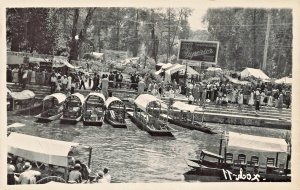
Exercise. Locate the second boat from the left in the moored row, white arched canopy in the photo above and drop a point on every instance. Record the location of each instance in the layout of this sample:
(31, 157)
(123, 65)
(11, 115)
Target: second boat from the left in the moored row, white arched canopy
(52, 107)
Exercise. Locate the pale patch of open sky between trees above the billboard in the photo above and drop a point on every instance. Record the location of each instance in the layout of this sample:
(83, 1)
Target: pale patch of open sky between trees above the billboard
(196, 18)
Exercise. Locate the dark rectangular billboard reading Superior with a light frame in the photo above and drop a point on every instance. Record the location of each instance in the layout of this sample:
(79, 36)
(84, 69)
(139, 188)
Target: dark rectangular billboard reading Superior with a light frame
(199, 51)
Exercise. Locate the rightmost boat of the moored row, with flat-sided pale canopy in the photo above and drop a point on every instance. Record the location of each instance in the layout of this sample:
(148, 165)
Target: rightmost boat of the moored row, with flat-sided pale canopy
(183, 115)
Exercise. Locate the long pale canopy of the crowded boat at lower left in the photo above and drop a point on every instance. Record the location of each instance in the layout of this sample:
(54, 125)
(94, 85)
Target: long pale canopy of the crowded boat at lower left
(40, 149)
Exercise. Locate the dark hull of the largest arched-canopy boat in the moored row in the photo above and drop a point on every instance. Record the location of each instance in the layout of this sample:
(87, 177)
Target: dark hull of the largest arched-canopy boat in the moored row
(152, 132)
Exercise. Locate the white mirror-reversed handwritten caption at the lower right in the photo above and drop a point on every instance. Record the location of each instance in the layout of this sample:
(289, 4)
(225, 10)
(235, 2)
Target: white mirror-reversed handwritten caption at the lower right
(228, 175)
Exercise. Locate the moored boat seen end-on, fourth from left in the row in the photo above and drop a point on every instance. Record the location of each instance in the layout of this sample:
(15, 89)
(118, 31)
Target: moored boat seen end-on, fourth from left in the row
(93, 109)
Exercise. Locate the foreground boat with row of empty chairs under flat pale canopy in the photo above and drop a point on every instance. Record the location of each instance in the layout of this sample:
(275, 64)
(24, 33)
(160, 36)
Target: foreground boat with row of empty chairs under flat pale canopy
(215, 167)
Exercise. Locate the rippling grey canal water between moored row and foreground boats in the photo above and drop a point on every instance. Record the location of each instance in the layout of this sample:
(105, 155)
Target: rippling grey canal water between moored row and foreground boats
(133, 155)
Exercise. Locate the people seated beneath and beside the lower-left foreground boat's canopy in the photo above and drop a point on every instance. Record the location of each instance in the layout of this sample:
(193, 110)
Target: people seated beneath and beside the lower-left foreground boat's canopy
(21, 171)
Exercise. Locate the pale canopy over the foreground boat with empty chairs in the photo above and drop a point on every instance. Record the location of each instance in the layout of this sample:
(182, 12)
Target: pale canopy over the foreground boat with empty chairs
(256, 143)
